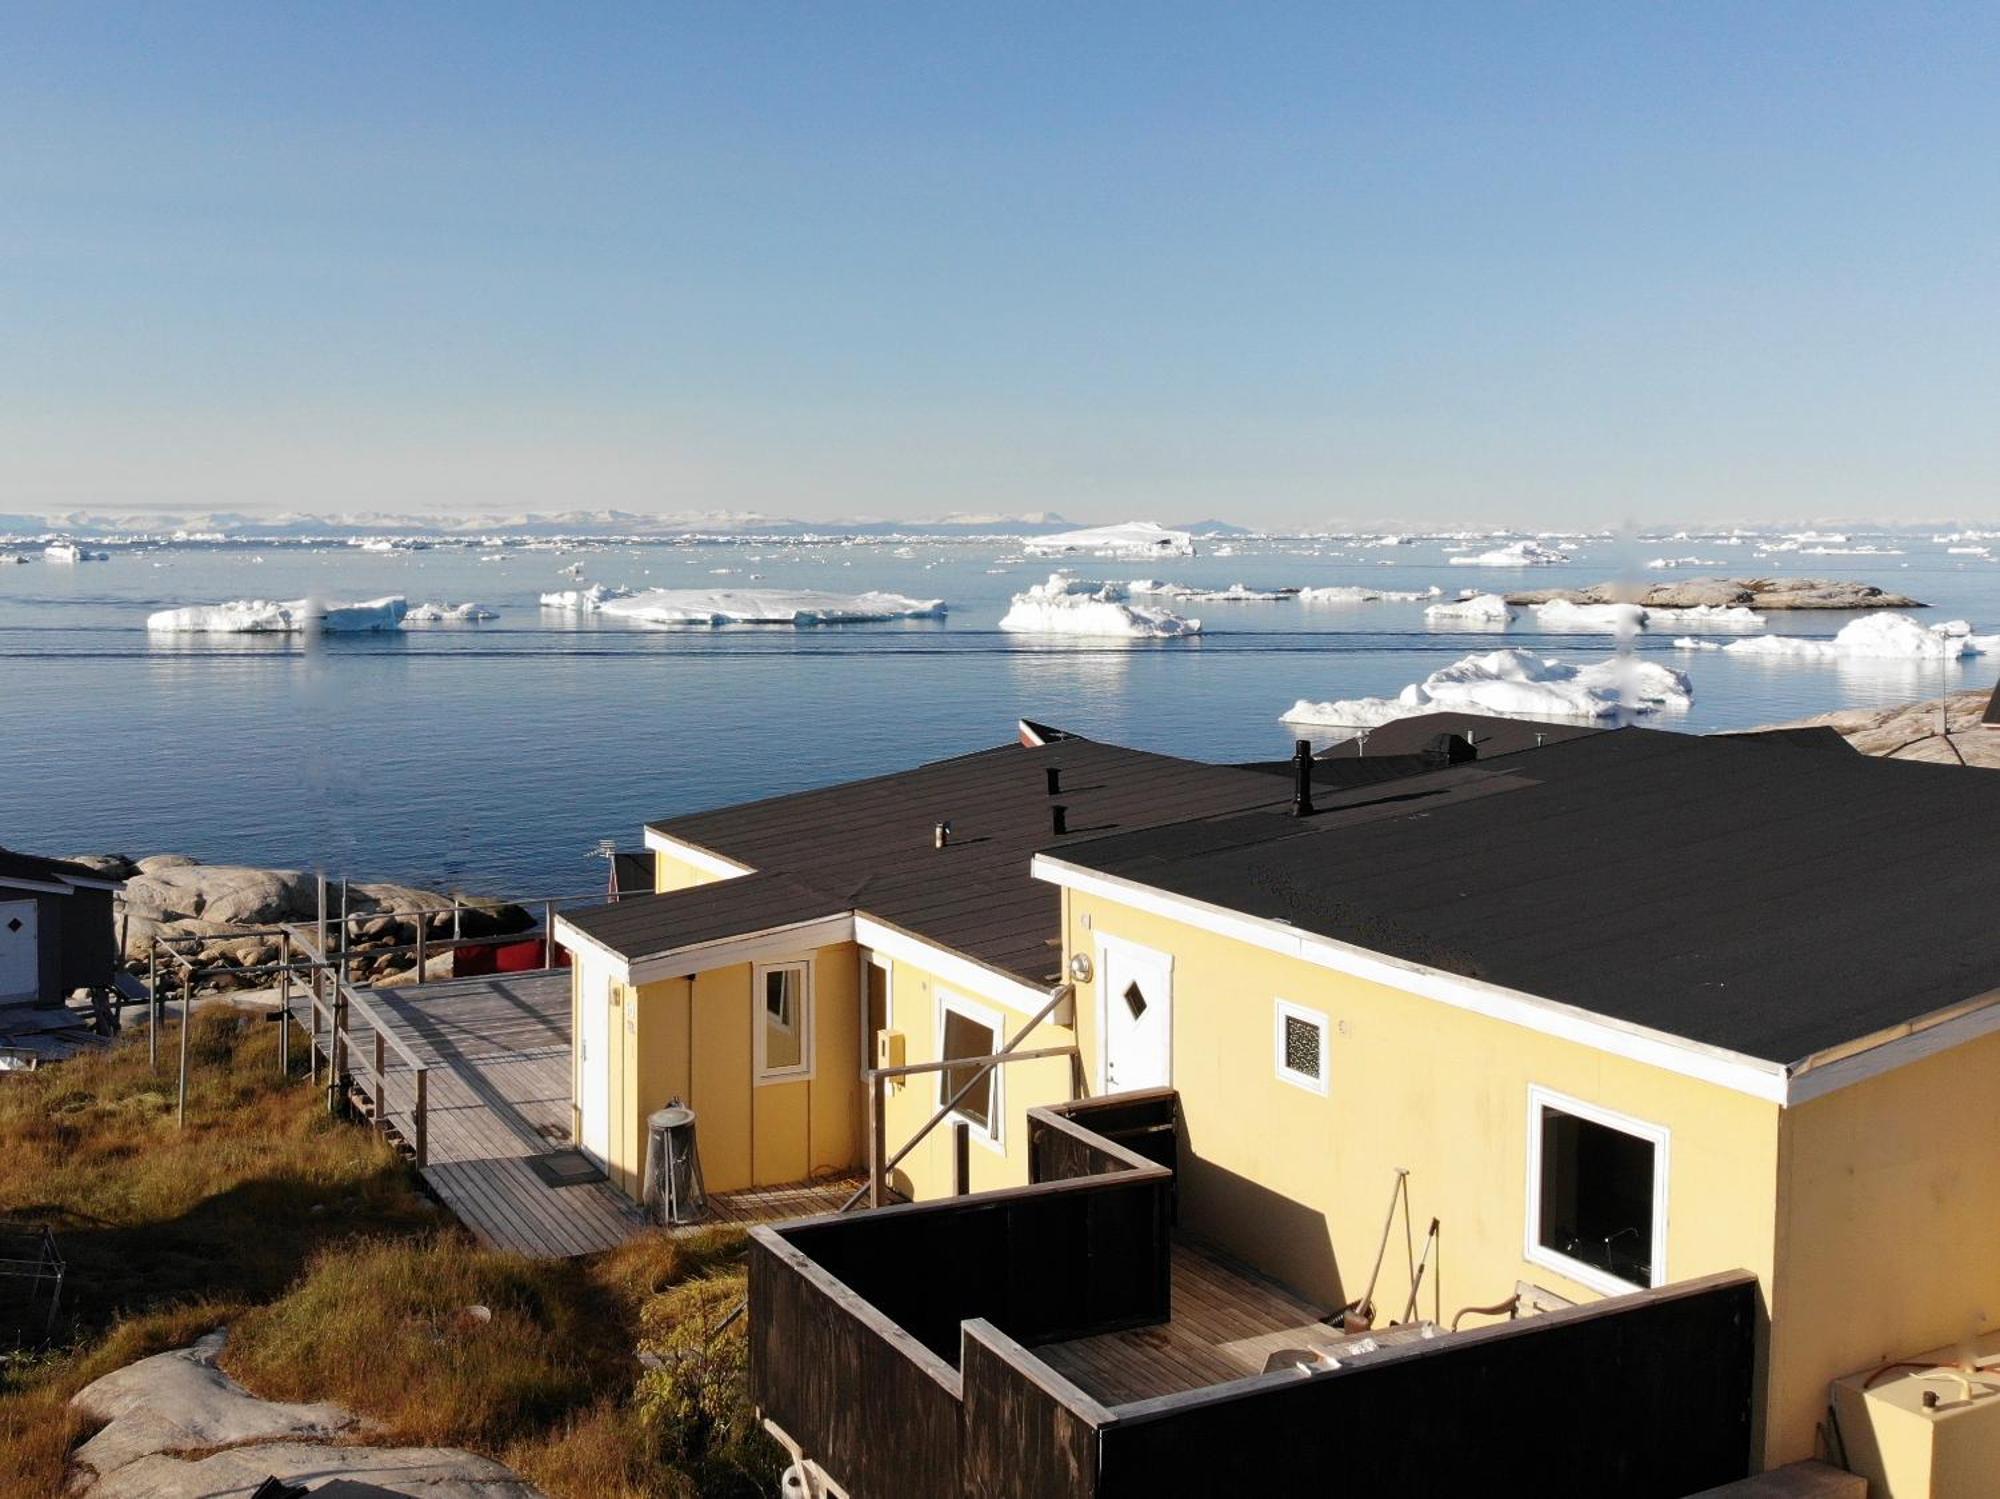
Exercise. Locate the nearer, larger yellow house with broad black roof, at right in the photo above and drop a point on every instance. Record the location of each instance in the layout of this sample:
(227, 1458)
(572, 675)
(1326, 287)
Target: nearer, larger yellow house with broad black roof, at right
(1627, 1010)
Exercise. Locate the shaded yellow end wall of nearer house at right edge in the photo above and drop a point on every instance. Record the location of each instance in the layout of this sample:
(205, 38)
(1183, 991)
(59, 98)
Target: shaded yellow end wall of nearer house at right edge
(1887, 1230)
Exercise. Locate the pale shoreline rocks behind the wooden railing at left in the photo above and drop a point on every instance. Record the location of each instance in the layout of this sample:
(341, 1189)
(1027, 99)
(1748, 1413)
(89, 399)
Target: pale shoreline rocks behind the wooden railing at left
(229, 904)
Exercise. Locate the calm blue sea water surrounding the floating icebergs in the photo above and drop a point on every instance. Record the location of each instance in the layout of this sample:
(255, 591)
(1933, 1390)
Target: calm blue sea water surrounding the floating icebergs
(499, 754)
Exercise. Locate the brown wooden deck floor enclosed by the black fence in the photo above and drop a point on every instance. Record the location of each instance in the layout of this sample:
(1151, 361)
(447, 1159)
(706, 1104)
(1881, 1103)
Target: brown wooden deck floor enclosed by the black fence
(1227, 1322)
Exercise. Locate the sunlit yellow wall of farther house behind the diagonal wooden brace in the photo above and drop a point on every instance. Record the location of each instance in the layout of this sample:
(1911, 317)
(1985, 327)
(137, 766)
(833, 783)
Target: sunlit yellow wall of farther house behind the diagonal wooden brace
(1027, 1084)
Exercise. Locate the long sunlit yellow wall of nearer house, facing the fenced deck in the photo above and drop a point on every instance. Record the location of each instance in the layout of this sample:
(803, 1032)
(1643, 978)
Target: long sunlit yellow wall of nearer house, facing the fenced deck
(1299, 1184)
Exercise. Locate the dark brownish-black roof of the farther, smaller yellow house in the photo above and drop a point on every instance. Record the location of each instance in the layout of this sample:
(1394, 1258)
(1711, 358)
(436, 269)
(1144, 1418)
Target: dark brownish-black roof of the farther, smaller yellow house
(871, 846)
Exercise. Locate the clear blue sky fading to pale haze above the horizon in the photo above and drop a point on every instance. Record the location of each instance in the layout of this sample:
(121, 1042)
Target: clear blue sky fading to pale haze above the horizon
(1423, 263)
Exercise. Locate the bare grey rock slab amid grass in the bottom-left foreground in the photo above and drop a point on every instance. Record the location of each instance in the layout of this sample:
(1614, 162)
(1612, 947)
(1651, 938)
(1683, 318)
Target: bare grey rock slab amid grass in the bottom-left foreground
(167, 1416)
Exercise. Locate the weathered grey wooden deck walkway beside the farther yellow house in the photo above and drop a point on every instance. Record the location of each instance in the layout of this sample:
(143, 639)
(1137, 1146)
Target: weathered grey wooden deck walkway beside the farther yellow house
(499, 1056)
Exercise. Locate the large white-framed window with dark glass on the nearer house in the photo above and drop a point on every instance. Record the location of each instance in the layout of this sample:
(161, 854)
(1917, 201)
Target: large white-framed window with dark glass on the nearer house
(1597, 1194)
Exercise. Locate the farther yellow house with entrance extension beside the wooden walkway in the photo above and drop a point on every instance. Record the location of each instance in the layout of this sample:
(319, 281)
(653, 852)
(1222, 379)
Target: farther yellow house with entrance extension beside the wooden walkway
(793, 944)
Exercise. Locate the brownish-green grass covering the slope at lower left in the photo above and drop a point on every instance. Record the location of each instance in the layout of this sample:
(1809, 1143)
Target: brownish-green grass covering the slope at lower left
(343, 1282)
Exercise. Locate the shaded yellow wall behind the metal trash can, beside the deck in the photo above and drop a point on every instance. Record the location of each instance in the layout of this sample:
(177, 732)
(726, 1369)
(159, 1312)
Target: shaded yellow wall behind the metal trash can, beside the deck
(695, 1040)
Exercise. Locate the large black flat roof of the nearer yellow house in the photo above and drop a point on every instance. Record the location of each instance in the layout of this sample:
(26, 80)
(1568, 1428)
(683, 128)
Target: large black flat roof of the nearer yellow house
(1753, 896)
